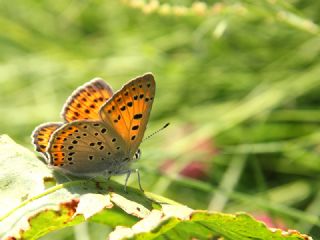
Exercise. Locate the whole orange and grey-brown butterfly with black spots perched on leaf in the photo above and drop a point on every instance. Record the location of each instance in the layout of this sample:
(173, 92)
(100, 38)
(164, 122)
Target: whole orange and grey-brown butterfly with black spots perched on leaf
(102, 130)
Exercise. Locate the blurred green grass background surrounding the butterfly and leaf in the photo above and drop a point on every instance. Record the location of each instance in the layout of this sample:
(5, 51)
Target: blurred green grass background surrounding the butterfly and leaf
(239, 81)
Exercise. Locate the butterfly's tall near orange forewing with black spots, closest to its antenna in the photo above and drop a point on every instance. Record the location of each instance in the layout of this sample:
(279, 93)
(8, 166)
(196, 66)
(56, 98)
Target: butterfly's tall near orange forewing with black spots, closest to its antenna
(127, 112)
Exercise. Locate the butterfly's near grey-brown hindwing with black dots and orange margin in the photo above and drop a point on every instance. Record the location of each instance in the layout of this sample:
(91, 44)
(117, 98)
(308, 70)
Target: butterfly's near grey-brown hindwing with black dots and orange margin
(87, 147)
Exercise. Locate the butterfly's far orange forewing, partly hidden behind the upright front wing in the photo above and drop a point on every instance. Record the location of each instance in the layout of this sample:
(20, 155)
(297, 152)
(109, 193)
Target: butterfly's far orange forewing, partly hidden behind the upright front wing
(85, 102)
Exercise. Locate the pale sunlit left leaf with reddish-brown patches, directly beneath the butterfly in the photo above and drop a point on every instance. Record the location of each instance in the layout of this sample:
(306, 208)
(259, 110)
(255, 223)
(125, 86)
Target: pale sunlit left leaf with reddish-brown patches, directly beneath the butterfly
(30, 210)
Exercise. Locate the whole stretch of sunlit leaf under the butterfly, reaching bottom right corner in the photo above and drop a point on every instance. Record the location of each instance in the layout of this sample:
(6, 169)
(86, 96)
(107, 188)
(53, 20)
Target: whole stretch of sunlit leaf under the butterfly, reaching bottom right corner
(30, 209)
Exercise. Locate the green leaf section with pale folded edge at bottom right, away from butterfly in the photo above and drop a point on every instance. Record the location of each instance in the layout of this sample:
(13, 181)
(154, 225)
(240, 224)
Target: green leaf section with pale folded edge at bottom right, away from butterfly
(181, 223)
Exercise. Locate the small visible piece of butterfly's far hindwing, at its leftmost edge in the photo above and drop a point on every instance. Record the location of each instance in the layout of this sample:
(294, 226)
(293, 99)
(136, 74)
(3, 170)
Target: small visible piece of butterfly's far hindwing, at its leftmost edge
(42, 134)
